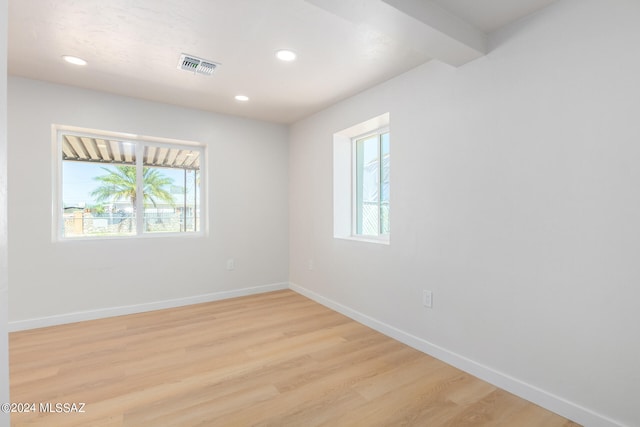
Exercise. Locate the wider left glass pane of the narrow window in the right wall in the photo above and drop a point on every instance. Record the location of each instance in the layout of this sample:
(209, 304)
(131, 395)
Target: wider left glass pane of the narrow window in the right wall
(367, 186)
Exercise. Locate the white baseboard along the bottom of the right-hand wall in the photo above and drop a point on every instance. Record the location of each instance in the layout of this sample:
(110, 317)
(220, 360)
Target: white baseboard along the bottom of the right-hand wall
(513, 385)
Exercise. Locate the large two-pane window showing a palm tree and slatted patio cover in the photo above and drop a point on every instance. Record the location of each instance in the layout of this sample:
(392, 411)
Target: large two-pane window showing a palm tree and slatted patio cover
(112, 185)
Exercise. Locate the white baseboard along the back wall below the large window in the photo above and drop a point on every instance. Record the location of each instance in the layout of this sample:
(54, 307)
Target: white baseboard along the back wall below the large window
(80, 316)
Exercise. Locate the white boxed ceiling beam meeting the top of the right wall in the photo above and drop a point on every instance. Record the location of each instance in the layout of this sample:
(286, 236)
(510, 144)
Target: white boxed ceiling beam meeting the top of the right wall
(421, 24)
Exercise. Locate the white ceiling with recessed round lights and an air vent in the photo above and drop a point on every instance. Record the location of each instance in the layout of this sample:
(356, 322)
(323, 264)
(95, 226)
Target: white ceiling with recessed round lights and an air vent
(343, 46)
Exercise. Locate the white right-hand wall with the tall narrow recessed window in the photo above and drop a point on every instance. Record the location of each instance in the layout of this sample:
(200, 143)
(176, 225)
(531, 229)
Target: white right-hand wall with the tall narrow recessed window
(514, 199)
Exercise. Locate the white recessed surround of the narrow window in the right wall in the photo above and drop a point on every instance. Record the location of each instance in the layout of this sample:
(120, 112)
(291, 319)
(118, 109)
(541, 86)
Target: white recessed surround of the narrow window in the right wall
(344, 170)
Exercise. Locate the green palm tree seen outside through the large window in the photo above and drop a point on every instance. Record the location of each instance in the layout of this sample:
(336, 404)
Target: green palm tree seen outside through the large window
(120, 184)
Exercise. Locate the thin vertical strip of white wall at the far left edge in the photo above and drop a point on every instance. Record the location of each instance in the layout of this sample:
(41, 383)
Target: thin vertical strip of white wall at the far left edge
(4, 276)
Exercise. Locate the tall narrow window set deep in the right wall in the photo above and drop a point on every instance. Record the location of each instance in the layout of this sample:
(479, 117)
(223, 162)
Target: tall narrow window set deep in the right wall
(371, 184)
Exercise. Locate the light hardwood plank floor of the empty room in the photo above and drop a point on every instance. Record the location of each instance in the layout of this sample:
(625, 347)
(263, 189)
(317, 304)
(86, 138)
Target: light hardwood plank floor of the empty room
(276, 359)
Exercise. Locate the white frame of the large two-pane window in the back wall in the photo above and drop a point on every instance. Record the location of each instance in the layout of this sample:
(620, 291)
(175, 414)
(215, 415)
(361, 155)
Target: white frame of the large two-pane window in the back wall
(139, 141)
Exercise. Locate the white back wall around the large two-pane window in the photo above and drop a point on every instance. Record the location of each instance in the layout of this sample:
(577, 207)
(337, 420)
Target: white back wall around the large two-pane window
(248, 216)
